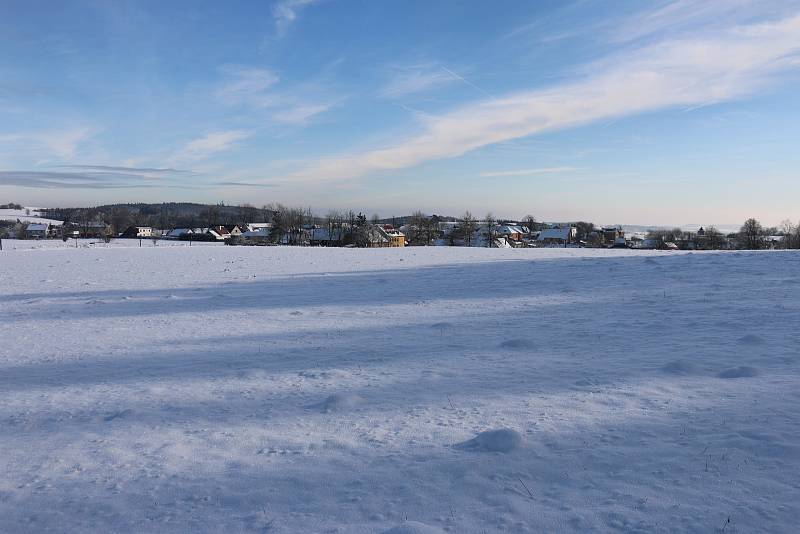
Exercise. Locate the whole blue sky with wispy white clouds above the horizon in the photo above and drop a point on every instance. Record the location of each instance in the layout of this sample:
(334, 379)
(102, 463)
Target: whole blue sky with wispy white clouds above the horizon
(662, 112)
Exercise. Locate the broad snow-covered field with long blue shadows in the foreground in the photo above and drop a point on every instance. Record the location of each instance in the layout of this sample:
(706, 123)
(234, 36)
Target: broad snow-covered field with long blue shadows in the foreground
(237, 389)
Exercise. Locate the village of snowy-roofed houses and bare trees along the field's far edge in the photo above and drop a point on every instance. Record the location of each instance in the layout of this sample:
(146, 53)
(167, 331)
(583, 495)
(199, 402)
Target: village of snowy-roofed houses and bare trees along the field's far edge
(291, 226)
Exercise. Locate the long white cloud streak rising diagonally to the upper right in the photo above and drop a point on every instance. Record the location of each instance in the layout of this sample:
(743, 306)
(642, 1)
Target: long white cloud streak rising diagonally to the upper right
(679, 73)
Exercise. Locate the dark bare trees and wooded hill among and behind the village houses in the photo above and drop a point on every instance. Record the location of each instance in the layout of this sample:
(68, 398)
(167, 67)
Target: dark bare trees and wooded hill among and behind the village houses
(348, 227)
